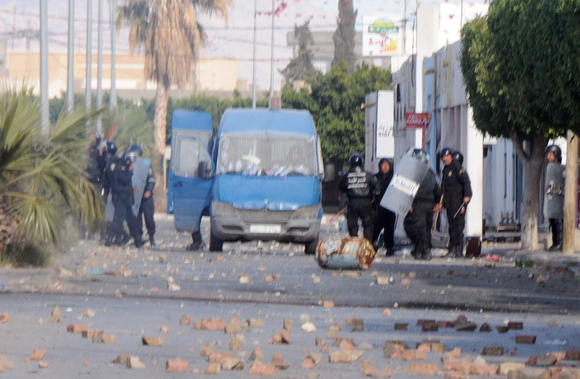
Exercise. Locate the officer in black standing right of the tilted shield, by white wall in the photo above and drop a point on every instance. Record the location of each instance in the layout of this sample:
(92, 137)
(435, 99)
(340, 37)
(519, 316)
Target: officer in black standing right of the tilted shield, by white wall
(455, 185)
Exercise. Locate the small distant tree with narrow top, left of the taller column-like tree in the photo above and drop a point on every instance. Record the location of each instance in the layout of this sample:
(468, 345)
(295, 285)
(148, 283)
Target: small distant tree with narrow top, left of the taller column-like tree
(301, 67)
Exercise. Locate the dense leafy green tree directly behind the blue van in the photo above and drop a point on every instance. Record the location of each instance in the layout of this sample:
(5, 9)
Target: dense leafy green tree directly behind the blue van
(334, 100)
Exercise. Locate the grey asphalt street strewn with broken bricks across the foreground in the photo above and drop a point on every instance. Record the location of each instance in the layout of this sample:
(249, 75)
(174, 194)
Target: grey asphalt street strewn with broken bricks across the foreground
(135, 292)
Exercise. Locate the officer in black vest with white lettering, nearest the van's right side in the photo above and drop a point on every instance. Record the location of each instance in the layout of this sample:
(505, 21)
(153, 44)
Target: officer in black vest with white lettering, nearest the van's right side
(361, 188)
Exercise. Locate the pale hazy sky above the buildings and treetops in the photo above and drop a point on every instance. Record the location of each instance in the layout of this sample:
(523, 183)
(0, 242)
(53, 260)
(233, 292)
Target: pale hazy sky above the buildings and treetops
(234, 40)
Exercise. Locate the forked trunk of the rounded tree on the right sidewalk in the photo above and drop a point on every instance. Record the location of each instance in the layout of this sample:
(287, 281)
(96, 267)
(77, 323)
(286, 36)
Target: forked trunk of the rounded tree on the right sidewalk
(533, 163)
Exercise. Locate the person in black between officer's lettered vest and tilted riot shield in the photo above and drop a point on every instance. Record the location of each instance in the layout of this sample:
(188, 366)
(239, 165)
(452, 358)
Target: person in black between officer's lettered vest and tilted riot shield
(384, 219)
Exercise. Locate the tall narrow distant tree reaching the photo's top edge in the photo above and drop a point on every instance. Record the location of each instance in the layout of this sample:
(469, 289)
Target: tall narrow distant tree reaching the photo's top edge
(344, 35)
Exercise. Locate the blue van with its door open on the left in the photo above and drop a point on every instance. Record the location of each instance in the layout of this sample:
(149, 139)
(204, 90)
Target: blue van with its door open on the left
(260, 180)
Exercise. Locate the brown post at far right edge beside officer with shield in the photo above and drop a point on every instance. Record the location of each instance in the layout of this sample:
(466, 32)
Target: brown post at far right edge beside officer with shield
(570, 193)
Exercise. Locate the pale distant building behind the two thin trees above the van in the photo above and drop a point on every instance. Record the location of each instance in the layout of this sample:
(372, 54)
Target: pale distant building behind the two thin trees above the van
(323, 51)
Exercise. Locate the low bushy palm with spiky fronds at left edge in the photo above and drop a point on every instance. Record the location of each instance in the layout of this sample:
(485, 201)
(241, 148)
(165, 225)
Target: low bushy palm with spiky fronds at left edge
(42, 178)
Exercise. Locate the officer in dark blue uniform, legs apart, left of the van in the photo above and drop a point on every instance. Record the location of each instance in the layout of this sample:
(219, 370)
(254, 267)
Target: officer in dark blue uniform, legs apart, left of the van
(120, 177)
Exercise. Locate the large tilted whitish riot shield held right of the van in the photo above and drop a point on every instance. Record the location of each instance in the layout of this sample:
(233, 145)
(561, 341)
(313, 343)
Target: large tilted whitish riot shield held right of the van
(401, 192)
